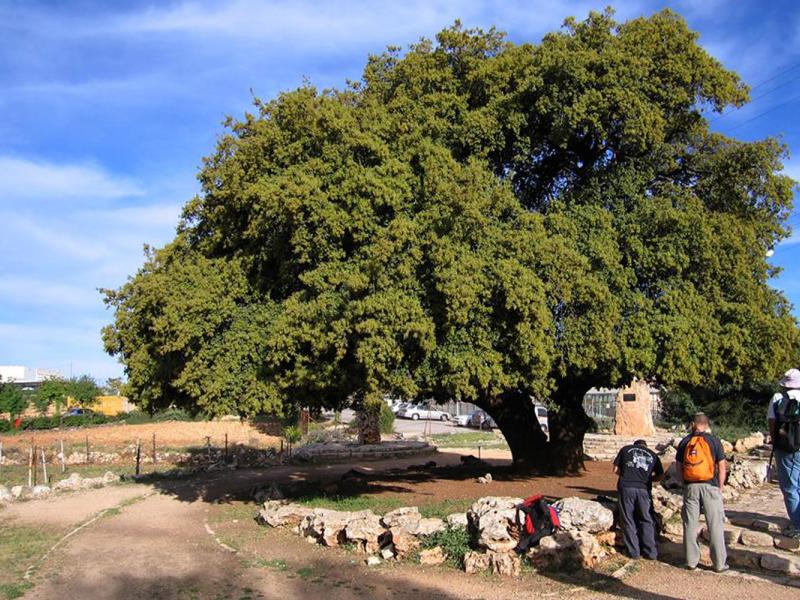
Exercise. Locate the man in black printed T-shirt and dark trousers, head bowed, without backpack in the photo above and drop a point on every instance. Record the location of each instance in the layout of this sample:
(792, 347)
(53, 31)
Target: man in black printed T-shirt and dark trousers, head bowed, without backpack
(638, 467)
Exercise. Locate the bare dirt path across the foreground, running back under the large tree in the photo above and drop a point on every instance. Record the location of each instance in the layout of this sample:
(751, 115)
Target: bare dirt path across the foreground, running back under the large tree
(197, 539)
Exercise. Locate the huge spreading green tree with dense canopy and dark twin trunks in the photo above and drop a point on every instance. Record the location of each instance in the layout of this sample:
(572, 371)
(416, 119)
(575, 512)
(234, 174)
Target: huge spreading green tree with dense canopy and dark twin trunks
(474, 219)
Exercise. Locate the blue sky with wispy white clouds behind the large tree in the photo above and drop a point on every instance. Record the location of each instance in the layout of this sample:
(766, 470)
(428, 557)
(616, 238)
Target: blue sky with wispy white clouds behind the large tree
(106, 109)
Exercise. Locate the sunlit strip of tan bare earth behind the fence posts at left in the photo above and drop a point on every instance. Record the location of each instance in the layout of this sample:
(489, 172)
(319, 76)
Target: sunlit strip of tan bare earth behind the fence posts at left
(172, 434)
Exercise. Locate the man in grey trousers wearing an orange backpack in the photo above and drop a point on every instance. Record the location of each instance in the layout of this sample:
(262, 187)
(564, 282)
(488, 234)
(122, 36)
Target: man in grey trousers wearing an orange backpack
(701, 466)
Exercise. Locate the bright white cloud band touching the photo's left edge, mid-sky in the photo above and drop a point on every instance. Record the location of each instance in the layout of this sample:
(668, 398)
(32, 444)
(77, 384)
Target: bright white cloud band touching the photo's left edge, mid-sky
(23, 179)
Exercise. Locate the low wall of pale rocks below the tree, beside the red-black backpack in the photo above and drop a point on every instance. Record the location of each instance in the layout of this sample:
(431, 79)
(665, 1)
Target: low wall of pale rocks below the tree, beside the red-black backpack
(584, 540)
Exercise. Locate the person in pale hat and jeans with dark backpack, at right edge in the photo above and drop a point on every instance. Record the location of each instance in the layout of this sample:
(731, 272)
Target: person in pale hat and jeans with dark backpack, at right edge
(783, 416)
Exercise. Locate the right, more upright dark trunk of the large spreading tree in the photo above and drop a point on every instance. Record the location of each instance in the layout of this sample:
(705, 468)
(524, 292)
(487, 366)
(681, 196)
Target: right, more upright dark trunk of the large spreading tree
(568, 426)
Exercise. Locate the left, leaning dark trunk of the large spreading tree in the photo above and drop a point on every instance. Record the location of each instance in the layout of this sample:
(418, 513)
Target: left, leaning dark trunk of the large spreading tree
(515, 415)
